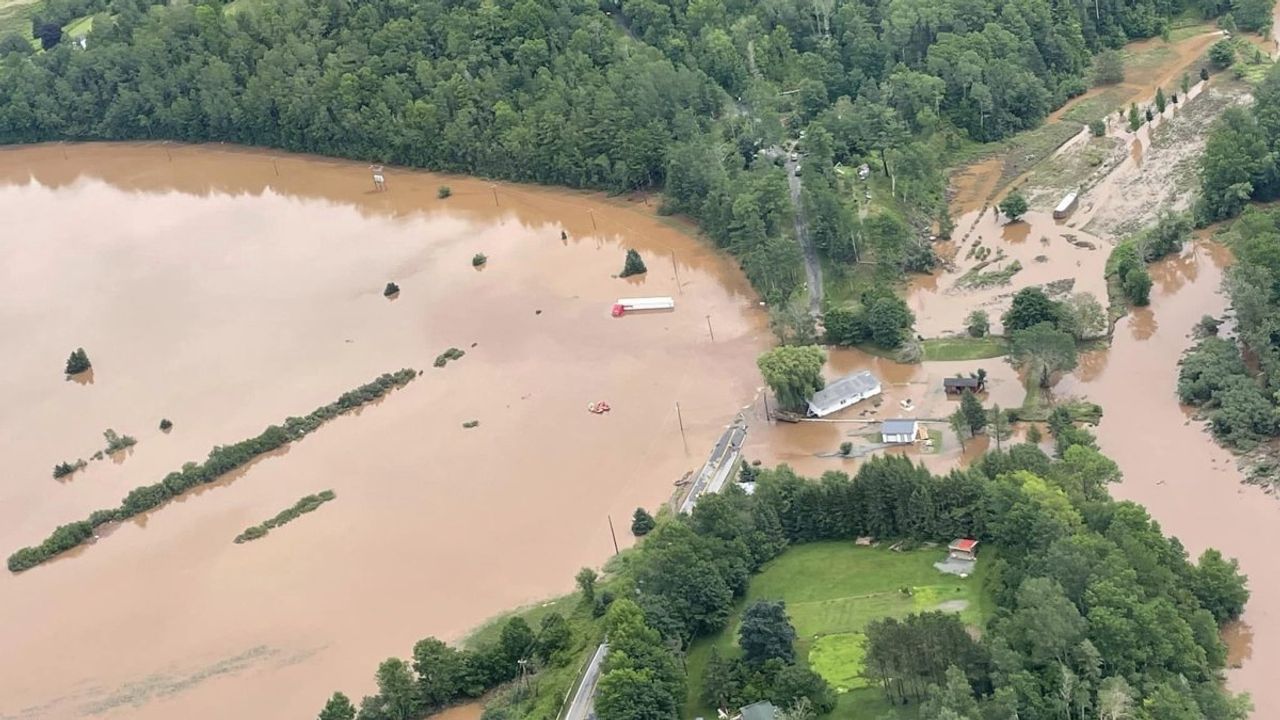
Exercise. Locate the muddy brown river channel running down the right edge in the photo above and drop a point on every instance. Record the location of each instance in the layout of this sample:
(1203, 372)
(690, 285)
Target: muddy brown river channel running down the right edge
(1172, 464)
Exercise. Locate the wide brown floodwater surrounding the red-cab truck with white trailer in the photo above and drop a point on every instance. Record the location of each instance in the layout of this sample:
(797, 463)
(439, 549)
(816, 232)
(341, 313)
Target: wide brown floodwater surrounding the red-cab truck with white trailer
(227, 290)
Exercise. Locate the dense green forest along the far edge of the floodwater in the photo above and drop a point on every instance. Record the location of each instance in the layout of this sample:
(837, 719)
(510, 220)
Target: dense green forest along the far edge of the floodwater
(678, 95)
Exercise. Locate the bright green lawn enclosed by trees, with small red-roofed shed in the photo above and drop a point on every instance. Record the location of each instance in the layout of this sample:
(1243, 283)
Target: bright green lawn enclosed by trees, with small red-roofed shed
(833, 591)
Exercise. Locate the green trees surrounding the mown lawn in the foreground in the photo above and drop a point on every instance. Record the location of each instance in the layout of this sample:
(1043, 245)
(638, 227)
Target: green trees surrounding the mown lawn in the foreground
(1098, 613)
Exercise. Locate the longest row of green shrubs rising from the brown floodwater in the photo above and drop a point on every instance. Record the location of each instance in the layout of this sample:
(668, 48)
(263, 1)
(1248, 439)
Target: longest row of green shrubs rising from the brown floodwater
(222, 459)
